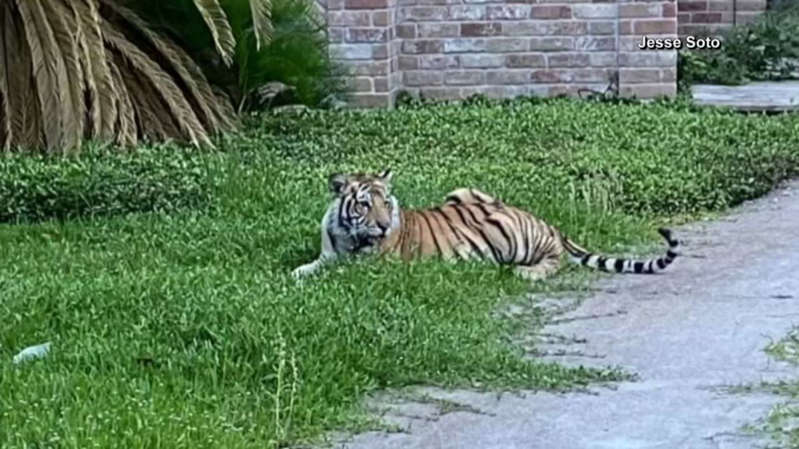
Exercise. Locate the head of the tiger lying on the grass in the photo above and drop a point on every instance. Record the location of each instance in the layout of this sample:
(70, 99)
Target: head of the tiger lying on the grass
(366, 208)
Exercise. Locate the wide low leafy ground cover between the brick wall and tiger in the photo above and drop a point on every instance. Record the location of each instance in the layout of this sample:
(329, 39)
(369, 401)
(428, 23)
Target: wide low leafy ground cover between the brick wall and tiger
(662, 159)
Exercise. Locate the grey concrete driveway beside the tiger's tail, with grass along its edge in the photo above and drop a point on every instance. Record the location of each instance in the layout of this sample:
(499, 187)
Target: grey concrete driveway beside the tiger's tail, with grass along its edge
(689, 333)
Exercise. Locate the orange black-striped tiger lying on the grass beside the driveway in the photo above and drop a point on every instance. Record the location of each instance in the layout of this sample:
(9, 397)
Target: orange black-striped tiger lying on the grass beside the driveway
(365, 218)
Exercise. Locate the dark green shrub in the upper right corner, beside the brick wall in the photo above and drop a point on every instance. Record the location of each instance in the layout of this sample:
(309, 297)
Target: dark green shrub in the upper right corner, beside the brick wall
(767, 49)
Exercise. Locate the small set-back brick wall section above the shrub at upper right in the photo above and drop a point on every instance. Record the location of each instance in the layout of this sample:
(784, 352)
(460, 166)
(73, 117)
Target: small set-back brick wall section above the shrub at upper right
(700, 17)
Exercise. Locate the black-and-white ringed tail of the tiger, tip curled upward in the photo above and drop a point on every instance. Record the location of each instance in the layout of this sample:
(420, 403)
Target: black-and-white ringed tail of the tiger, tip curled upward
(619, 265)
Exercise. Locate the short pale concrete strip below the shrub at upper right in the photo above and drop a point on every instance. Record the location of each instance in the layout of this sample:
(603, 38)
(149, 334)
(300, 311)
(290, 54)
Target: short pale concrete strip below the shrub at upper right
(758, 96)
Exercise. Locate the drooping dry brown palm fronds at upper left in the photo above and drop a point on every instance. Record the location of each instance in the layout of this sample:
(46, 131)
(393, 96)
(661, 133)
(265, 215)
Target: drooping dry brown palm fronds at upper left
(95, 69)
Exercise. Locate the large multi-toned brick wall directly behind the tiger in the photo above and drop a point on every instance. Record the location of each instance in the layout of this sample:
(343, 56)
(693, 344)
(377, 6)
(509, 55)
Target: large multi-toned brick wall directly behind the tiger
(451, 49)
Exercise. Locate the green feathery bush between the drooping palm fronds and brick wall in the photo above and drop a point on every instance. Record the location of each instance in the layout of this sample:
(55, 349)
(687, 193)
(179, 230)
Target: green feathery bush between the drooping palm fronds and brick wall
(297, 54)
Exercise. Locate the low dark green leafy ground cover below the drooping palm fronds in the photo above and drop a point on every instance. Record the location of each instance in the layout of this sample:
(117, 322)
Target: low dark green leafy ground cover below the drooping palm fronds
(35, 188)
